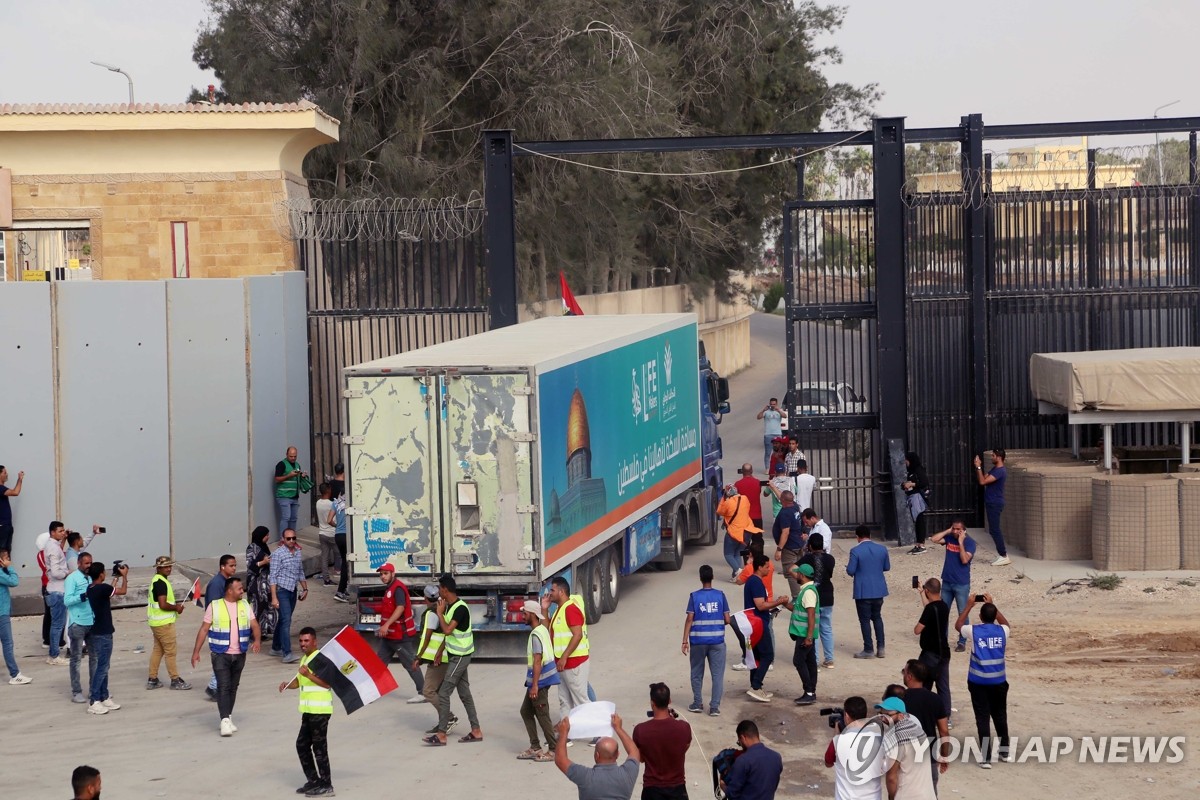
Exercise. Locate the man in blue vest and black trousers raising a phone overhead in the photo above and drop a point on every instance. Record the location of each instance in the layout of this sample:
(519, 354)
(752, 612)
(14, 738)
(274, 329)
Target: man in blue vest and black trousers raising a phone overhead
(987, 681)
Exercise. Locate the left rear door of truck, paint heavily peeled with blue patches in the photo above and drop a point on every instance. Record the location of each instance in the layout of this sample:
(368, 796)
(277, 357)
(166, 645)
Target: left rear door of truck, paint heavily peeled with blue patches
(393, 474)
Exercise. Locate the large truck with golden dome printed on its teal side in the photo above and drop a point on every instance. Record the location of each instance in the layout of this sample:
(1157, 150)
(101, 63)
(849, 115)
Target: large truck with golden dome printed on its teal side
(584, 447)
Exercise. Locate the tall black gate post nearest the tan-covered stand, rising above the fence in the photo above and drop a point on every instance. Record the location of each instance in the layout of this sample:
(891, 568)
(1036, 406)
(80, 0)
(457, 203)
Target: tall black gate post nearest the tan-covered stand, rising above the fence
(977, 263)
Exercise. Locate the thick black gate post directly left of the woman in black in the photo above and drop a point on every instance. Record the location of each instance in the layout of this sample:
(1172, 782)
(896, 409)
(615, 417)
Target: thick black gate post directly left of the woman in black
(891, 300)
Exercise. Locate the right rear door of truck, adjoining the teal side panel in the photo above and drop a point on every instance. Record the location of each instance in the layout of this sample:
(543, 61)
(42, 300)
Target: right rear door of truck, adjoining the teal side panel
(488, 491)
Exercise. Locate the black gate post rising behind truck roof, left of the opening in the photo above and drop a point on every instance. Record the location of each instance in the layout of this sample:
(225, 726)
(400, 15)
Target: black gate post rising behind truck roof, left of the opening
(501, 252)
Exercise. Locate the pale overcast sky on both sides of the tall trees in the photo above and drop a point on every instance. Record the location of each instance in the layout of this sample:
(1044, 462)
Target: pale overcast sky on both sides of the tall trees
(935, 61)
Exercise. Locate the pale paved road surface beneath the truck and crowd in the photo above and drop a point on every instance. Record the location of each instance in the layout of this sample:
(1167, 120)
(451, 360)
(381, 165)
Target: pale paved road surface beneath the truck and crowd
(165, 744)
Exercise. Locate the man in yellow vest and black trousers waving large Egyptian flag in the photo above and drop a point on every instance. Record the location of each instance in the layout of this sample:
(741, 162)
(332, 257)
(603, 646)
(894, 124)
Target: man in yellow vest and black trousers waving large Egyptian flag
(349, 667)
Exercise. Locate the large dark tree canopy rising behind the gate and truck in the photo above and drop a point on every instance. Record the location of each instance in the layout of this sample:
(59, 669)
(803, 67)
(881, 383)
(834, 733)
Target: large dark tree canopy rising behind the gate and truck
(416, 82)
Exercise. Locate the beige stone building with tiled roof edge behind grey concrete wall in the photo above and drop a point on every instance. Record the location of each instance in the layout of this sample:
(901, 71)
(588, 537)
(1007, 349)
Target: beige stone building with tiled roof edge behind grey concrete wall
(152, 191)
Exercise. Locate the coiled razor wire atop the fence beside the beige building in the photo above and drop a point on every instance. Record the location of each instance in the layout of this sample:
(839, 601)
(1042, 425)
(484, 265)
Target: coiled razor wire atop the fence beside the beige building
(380, 219)
